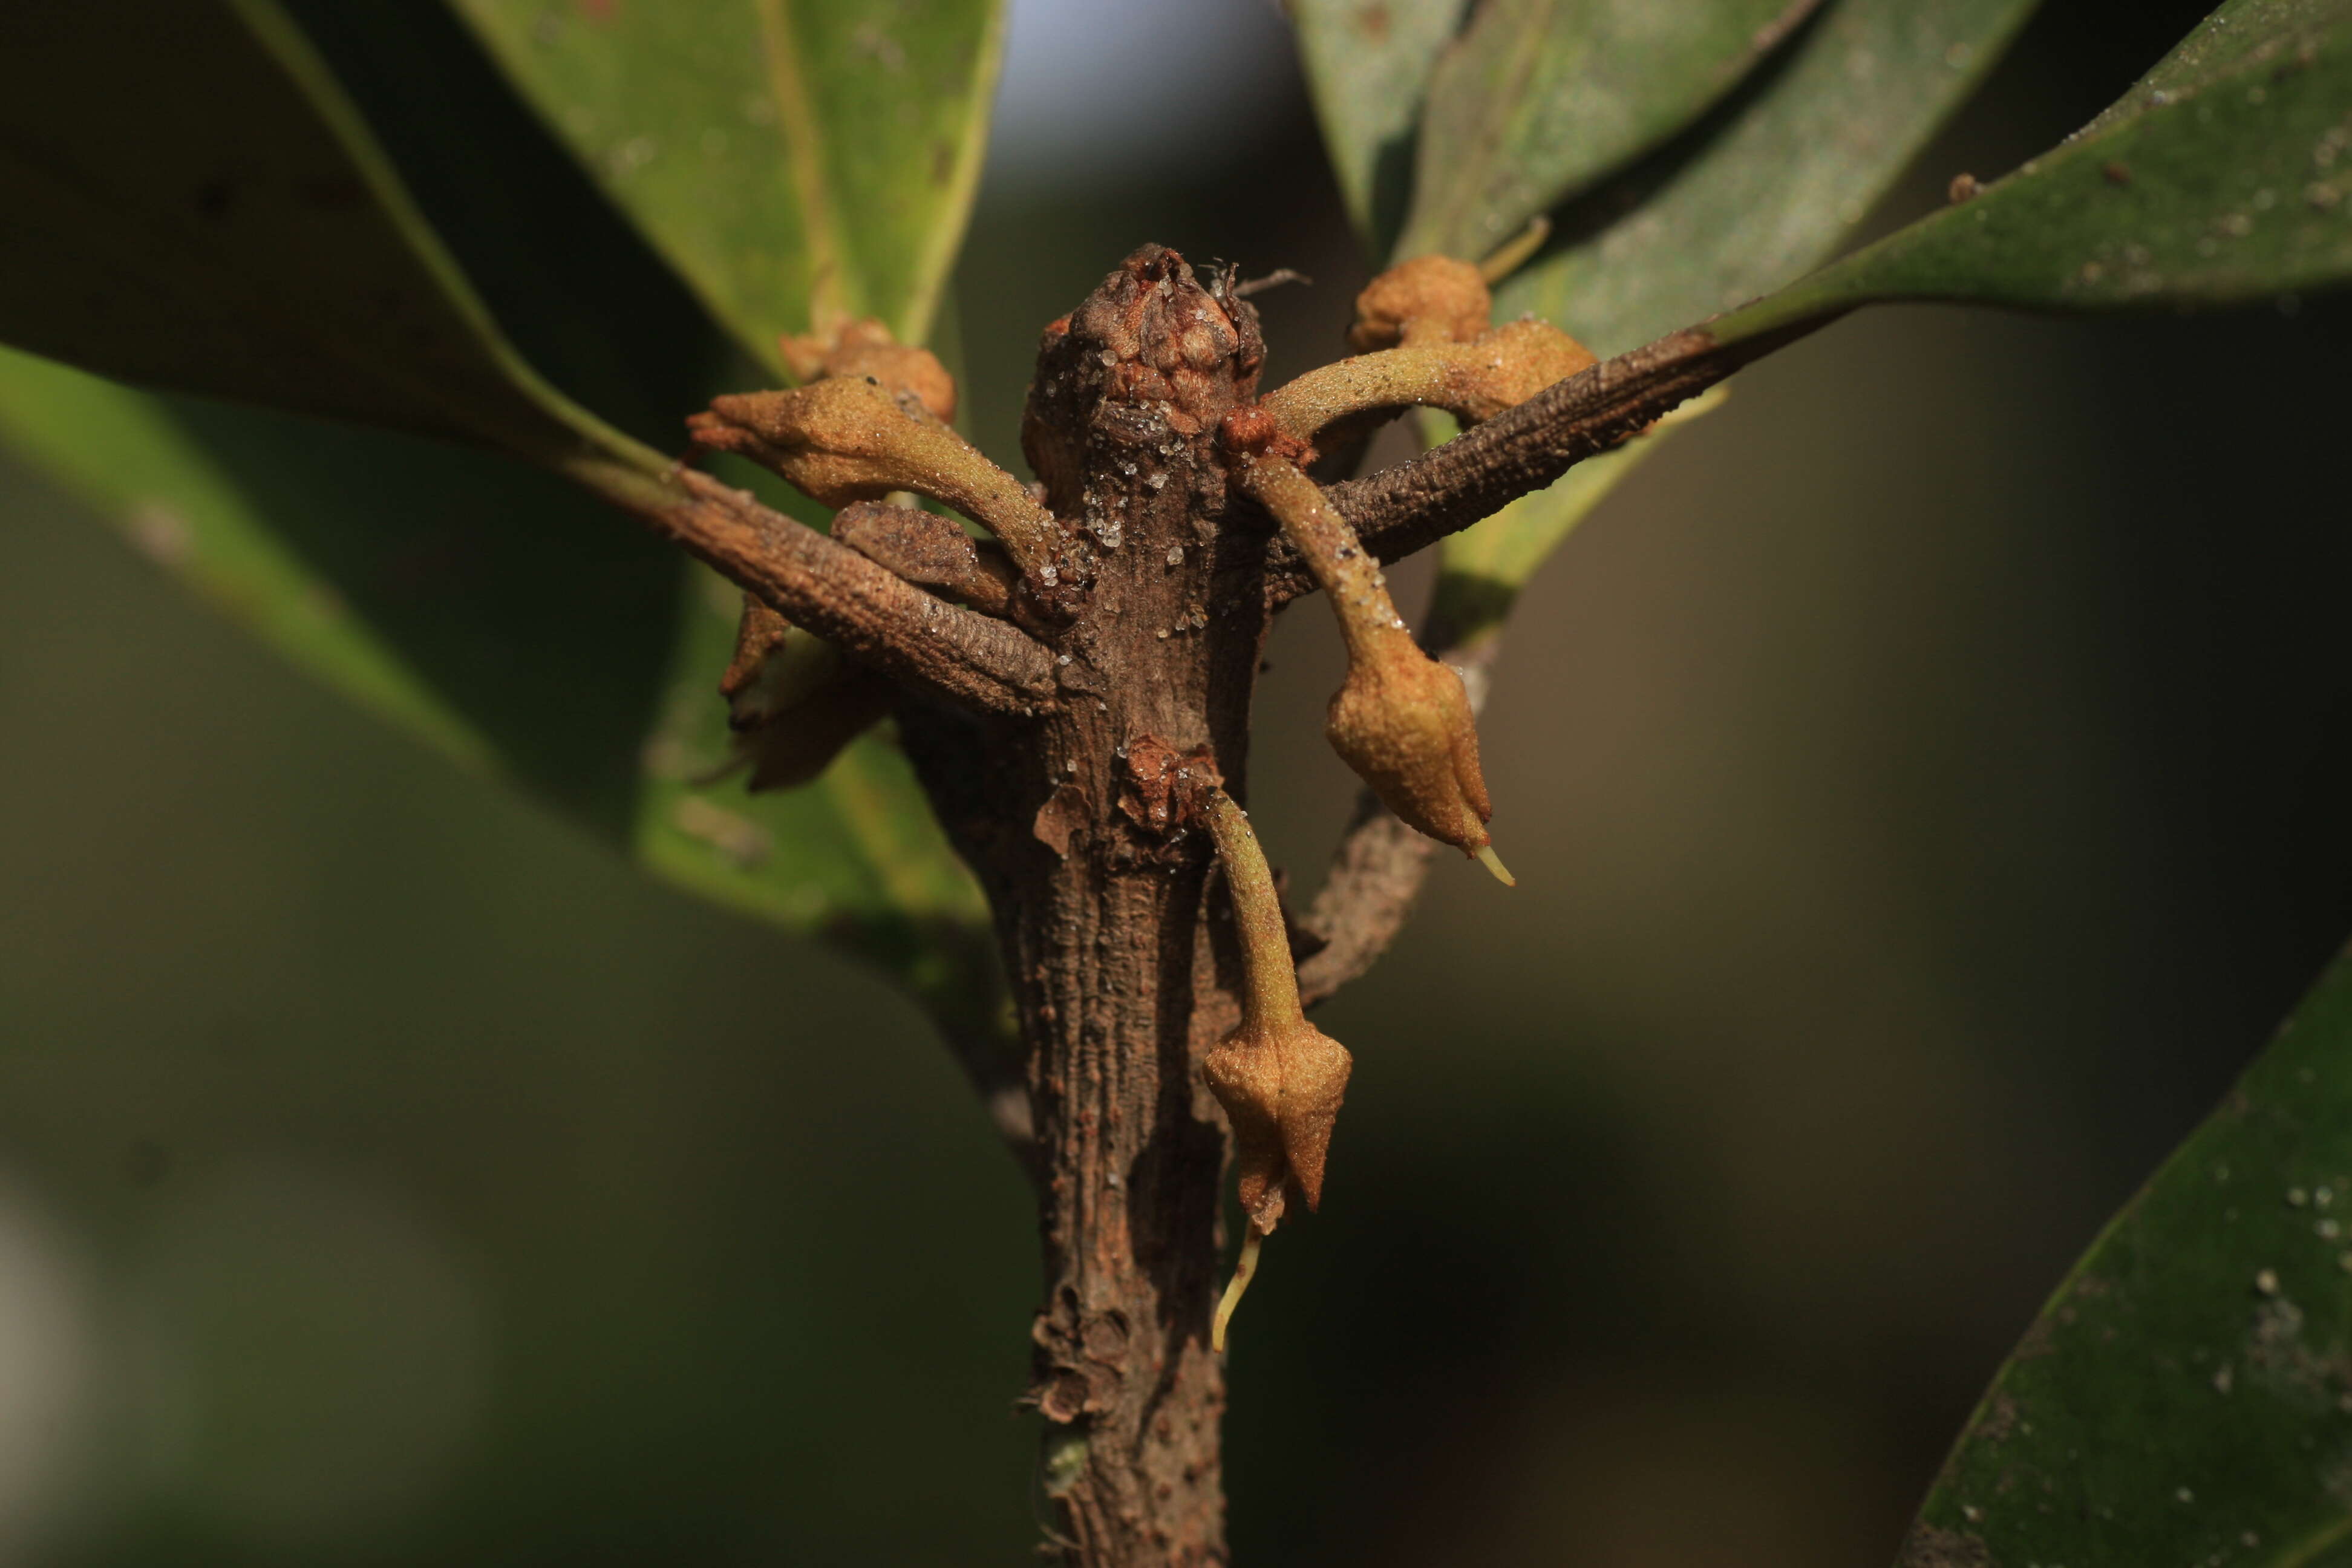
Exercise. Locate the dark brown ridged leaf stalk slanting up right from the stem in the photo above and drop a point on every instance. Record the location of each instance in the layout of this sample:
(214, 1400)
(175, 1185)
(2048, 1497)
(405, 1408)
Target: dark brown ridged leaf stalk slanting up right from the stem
(1412, 507)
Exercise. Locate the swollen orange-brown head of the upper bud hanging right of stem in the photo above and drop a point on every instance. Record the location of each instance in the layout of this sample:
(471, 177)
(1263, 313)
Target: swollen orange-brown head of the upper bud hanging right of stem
(1403, 723)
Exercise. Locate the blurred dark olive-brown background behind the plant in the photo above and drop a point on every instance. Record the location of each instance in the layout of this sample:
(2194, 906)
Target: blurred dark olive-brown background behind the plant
(1927, 793)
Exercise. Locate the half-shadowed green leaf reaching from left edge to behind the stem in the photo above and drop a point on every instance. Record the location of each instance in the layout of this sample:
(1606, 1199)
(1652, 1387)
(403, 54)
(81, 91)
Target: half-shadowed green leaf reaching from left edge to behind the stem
(519, 626)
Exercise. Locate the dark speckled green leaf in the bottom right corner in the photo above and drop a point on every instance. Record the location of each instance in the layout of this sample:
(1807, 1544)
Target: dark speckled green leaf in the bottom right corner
(2186, 1395)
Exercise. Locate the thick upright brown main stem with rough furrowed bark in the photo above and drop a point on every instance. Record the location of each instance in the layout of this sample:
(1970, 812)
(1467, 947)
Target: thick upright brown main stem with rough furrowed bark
(1081, 826)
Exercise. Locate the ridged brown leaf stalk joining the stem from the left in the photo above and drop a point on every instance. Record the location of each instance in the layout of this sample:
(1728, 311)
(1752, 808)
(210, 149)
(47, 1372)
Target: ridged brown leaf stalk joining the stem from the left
(853, 603)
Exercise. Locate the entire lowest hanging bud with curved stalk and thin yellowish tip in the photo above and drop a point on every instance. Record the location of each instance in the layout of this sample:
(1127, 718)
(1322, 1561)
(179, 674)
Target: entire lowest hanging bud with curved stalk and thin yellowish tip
(1278, 1078)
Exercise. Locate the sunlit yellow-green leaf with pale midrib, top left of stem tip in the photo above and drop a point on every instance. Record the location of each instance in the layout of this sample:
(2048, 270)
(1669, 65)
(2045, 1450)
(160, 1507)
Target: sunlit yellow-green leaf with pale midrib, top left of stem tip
(796, 161)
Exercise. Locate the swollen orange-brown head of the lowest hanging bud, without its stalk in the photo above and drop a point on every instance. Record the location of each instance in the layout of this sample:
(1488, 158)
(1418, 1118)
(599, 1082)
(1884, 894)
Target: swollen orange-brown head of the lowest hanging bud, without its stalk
(1281, 1085)
